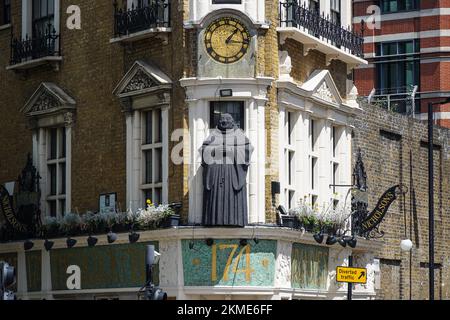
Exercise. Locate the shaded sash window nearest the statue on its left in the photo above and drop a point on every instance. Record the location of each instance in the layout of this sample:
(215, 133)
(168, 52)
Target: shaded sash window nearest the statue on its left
(152, 155)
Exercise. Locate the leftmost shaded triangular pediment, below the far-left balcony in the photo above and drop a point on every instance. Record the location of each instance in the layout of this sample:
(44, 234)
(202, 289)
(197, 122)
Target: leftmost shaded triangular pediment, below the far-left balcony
(48, 99)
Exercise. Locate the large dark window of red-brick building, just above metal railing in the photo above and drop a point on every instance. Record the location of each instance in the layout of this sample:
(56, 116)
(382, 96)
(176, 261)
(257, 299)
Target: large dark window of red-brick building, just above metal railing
(398, 66)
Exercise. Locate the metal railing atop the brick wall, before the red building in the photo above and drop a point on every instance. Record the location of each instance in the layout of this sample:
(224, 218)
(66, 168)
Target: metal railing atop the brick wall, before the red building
(401, 100)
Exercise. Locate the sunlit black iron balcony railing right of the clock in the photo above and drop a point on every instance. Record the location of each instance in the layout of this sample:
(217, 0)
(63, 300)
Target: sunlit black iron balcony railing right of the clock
(300, 16)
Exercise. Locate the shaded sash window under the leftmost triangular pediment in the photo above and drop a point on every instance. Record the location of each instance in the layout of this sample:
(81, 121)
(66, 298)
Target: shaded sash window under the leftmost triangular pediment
(56, 171)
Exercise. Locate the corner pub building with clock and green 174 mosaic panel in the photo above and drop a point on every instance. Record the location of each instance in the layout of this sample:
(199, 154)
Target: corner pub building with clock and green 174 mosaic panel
(121, 108)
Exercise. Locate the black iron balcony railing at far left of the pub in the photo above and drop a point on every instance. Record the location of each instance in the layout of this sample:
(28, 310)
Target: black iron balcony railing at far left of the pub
(27, 49)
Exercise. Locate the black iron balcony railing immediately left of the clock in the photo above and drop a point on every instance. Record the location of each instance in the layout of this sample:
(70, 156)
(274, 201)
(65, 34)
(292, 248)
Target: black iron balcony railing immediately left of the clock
(136, 19)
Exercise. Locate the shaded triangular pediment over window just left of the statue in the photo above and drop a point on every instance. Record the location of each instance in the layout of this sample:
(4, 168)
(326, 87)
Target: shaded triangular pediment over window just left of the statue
(142, 78)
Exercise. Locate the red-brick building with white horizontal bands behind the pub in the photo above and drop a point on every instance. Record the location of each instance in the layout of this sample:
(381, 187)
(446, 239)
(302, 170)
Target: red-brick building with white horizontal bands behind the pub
(407, 50)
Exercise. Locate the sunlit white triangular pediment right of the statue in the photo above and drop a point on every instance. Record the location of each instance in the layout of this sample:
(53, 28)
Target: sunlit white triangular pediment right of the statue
(320, 85)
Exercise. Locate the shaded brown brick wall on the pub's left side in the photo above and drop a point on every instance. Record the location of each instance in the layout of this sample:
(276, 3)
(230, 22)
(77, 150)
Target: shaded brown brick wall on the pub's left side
(90, 70)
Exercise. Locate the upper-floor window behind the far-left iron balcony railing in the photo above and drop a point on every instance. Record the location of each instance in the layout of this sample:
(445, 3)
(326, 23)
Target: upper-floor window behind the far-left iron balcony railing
(43, 16)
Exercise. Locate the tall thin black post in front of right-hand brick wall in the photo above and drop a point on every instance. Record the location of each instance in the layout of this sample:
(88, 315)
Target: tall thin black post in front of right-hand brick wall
(431, 195)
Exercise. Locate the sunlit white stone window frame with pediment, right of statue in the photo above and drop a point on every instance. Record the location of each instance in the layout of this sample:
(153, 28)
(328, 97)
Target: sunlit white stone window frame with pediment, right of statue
(317, 99)
